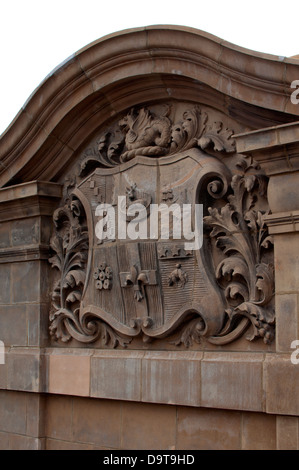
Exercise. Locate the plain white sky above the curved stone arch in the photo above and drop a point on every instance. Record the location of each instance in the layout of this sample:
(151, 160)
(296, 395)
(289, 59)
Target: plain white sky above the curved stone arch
(36, 36)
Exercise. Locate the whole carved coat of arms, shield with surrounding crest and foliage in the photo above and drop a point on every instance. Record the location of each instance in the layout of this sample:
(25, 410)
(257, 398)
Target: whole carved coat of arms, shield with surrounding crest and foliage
(113, 291)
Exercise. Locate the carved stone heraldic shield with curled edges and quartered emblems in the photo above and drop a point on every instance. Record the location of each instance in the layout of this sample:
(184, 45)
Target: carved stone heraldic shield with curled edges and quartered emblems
(150, 285)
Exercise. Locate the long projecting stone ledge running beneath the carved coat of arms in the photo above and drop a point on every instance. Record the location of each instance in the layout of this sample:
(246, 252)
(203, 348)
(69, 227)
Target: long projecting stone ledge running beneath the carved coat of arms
(226, 380)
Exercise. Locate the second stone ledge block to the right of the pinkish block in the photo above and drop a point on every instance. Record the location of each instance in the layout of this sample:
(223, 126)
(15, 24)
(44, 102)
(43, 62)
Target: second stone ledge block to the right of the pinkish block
(171, 377)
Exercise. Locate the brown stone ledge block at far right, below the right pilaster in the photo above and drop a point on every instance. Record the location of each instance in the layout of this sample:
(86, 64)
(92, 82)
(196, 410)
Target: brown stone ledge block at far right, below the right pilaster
(281, 385)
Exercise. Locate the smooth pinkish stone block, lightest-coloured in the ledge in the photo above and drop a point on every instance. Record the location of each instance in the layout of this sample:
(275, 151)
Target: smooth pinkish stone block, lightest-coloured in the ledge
(69, 374)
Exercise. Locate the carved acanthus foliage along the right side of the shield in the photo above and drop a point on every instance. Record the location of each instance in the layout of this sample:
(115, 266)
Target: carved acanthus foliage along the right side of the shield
(245, 273)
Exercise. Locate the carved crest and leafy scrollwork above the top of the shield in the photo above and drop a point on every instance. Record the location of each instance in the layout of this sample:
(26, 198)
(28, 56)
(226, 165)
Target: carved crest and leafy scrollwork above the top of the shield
(141, 132)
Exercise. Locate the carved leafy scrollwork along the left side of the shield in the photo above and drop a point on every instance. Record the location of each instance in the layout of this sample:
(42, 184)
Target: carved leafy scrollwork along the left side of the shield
(70, 245)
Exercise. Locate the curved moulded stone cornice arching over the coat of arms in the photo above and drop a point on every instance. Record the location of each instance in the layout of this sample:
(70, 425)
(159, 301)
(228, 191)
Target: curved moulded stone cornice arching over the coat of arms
(120, 70)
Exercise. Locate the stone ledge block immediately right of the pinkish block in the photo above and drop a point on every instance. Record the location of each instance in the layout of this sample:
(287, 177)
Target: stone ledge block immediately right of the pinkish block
(116, 375)
